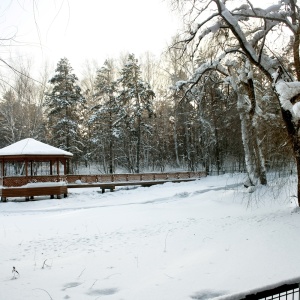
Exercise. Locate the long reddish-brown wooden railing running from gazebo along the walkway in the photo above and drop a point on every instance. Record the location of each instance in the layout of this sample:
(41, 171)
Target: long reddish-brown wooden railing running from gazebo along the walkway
(15, 181)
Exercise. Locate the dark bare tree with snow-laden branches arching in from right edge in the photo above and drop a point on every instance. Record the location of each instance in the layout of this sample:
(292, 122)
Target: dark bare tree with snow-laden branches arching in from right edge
(255, 33)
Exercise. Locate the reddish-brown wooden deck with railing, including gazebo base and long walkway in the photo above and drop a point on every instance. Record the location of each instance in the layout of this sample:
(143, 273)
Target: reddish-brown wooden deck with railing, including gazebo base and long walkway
(18, 186)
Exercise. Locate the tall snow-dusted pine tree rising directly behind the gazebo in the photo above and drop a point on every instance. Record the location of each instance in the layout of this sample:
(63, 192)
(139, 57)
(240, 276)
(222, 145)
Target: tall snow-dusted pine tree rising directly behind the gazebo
(64, 103)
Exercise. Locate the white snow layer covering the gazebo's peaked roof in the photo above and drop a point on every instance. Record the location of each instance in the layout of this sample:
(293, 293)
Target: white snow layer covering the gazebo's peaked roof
(32, 147)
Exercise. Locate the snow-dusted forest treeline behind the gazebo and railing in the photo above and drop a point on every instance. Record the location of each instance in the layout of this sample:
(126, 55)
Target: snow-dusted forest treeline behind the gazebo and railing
(128, 115)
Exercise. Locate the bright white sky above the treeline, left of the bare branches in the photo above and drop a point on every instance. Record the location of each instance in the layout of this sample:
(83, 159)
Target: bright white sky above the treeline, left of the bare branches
(90, 29)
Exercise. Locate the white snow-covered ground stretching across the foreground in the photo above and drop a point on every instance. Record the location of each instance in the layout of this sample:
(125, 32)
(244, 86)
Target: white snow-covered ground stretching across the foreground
(191, 240)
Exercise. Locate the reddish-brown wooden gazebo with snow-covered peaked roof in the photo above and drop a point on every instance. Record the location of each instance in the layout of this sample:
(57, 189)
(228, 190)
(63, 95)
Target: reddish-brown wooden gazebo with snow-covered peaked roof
(31, 168)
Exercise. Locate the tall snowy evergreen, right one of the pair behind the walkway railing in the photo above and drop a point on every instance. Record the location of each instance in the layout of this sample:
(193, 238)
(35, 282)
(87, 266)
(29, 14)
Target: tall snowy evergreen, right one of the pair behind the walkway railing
(136, 96)
